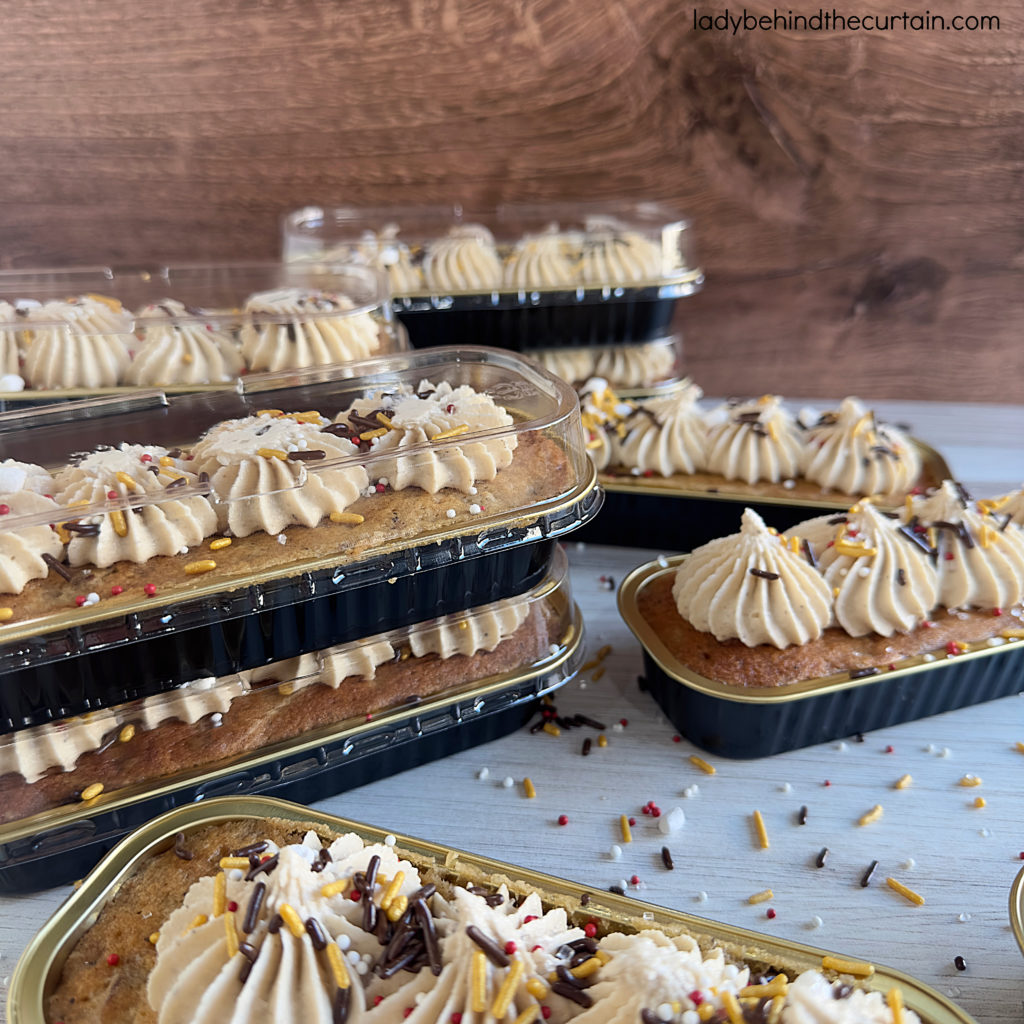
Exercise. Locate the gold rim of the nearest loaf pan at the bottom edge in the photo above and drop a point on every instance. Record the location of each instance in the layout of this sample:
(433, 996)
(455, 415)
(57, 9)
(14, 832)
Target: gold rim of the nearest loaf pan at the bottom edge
(39, 969)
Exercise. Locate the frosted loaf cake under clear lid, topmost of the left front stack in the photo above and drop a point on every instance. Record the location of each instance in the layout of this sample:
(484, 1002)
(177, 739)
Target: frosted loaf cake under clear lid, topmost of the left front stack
(271, 494)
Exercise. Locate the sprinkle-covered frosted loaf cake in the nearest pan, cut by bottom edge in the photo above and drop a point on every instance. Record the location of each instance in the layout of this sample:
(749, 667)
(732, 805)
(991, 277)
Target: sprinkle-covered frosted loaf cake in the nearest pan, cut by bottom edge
(249, 921)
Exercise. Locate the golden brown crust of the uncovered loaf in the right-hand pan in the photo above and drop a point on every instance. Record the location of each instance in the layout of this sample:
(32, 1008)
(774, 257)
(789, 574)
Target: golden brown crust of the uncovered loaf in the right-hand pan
(733, 663)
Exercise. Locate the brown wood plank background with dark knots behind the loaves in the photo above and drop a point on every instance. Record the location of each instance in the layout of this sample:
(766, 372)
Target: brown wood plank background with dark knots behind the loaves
(859, 196)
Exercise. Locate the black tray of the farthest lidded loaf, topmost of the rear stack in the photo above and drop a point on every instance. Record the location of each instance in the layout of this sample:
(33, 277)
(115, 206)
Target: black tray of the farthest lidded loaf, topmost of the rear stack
(529, 321)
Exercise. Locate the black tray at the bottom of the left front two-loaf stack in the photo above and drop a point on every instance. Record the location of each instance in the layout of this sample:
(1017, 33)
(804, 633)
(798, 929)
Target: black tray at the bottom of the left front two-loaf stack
(59, 856)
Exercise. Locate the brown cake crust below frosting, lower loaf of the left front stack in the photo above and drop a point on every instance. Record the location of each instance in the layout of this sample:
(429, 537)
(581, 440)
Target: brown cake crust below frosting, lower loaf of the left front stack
(266, 716)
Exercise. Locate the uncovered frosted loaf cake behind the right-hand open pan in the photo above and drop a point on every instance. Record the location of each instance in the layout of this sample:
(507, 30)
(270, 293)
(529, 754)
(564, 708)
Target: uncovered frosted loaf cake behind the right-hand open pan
(754, 448)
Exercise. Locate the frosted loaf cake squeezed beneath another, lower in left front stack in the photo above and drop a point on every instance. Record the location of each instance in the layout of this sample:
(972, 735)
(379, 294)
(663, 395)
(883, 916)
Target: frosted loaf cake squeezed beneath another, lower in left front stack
(208, 723)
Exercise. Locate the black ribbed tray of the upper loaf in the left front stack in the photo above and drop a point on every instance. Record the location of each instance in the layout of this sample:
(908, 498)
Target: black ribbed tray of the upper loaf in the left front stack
(75, 671)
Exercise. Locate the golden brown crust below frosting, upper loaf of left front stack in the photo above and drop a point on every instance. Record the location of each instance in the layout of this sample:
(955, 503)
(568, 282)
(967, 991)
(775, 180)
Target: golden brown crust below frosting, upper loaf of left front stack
(395, 520)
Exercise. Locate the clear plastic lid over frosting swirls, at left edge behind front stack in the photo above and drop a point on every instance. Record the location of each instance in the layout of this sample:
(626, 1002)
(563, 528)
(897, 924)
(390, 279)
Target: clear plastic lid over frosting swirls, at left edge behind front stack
(86, 332)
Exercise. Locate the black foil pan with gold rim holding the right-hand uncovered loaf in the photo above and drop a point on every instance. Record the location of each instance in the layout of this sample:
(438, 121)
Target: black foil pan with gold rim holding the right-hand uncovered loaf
(754, 722)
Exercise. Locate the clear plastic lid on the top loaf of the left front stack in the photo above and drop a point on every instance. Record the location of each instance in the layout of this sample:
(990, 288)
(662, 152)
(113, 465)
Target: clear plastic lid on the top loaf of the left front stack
(290, 487)
